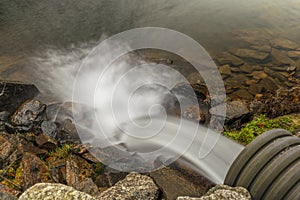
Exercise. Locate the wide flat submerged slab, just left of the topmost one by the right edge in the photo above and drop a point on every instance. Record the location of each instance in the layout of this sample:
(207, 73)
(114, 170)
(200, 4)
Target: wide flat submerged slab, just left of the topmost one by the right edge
(250, 54)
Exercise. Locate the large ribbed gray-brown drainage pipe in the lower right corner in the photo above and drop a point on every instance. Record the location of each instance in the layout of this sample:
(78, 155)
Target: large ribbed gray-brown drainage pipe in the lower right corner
(269, 167)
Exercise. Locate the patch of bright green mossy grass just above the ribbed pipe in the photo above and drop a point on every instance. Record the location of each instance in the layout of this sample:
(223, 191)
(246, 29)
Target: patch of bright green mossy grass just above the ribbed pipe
(259, 125)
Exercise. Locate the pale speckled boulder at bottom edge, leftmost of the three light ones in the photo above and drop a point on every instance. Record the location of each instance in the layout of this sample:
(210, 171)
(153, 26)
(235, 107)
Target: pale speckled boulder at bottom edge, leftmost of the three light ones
(53, 191)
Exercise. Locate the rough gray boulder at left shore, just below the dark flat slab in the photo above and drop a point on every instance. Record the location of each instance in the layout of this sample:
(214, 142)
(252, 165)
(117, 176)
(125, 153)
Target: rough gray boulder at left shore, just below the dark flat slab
(31, 112)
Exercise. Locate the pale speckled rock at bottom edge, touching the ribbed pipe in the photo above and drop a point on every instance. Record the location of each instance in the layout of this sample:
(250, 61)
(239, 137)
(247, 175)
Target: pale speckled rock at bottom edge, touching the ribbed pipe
(223, 192)
